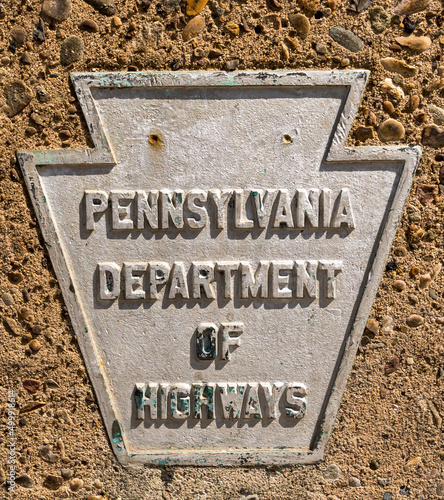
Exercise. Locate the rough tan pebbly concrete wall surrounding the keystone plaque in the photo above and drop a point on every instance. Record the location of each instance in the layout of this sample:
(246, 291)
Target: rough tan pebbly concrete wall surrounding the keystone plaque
(388, 433)
